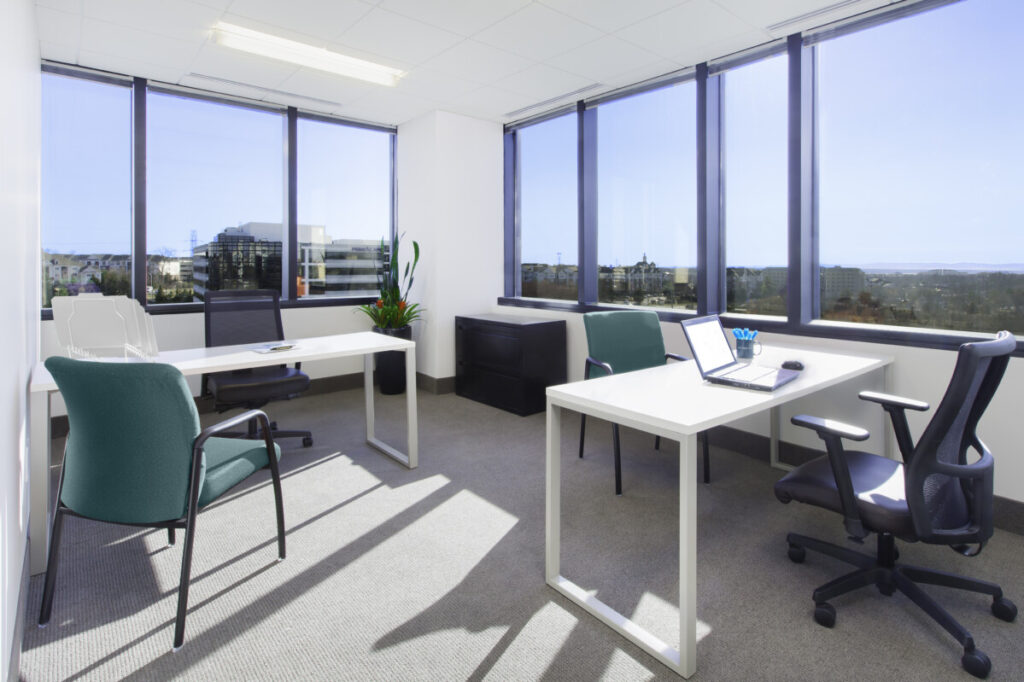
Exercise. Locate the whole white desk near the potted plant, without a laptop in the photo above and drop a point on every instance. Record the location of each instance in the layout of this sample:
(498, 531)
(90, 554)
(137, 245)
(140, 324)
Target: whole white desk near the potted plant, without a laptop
(223, 359)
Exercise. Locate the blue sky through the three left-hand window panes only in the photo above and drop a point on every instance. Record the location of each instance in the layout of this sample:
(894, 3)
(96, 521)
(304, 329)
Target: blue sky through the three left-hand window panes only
(209, 166)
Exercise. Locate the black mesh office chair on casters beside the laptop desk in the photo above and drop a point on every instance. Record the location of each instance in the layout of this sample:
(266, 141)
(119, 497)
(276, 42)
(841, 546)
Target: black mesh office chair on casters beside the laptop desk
(935, 497)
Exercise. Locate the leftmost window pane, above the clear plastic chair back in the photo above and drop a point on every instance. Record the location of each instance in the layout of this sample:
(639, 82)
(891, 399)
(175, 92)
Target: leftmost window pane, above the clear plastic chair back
(87, 188)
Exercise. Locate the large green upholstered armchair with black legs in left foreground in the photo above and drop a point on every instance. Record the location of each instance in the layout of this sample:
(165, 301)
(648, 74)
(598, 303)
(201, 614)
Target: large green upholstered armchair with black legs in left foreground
(136, 455)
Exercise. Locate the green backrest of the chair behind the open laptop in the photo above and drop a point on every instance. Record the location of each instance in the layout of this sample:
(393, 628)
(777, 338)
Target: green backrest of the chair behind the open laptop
(627, 340)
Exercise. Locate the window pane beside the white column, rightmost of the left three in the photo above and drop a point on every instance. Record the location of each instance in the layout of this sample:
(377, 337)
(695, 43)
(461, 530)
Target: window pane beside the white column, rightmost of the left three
(345, 208)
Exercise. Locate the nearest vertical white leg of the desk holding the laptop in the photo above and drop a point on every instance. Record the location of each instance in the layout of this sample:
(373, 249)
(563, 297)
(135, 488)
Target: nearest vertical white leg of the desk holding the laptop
(688, 557)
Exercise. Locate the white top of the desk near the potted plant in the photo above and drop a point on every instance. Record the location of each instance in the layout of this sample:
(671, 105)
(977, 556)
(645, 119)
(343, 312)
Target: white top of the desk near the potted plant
(224, 359)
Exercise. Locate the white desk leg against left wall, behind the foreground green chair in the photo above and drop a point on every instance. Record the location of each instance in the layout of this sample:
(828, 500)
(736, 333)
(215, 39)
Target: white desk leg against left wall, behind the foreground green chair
(39, 480)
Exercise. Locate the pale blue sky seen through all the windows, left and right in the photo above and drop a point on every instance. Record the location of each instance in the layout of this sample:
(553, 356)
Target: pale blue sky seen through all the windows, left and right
(921, 139)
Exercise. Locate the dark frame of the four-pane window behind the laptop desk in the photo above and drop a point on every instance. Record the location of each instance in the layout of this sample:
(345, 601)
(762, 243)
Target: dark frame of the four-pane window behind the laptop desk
(803, 317)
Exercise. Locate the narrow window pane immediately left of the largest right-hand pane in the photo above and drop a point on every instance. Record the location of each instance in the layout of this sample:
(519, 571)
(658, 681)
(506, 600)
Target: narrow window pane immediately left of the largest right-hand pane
(756, 174)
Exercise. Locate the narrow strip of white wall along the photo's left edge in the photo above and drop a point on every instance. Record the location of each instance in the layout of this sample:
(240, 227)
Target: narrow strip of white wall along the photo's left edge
(20, 126)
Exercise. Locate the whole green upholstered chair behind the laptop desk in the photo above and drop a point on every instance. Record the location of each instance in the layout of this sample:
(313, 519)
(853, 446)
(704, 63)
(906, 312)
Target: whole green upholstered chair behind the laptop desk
(624, 342)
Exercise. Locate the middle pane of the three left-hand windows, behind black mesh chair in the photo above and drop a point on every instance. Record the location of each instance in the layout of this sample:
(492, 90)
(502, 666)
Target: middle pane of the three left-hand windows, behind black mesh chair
(216, 179)
